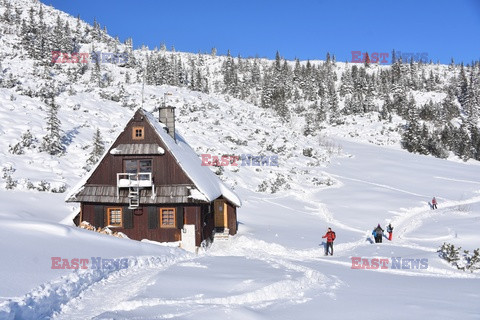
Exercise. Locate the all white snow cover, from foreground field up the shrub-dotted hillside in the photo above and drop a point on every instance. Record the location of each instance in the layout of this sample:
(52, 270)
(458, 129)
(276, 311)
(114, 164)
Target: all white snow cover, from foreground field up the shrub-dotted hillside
(349, 177)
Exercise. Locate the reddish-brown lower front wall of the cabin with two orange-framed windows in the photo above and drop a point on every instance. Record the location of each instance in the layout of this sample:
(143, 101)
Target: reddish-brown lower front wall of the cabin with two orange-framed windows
(146, 221)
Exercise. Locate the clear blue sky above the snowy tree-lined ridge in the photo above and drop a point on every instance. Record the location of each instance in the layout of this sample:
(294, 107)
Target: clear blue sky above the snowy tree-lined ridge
(303, 29)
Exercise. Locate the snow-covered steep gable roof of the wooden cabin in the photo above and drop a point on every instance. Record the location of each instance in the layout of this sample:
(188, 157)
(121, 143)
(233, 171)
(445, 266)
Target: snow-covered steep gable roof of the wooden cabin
(209, 186)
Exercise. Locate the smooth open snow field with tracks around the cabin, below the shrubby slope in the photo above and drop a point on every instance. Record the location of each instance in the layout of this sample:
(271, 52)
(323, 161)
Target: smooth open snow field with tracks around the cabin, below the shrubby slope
(274, 268)
